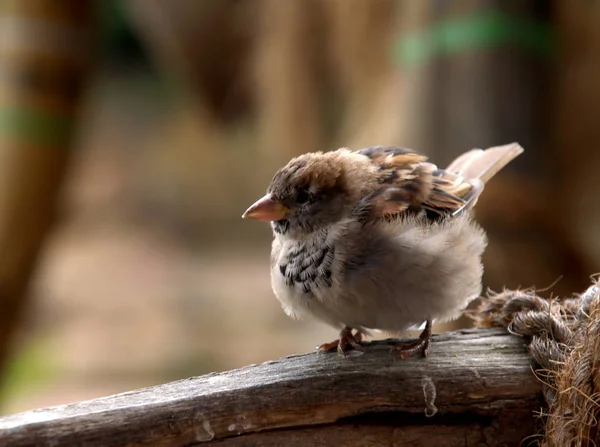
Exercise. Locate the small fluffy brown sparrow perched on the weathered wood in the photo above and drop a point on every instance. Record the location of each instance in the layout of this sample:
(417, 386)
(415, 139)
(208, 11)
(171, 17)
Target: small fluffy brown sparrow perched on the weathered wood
(377, 239)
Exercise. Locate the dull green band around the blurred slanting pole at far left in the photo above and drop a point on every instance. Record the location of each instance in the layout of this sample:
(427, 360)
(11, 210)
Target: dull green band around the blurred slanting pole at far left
(35, 126)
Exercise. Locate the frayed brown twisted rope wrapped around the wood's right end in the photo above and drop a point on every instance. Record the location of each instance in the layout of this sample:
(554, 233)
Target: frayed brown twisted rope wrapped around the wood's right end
(564, 340)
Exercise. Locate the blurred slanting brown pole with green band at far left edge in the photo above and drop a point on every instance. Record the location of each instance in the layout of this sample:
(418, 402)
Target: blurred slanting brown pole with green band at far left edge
(43, 49)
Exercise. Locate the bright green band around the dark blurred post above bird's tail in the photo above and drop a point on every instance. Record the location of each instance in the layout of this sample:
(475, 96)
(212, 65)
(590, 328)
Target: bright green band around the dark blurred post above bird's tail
(477, 31)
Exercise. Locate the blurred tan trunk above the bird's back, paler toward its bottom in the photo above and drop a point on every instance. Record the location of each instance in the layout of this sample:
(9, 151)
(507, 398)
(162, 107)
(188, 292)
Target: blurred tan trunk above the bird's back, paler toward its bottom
(360, 36)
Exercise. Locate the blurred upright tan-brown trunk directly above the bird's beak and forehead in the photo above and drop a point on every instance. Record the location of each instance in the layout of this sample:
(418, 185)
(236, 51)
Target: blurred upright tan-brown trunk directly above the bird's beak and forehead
(289, 78)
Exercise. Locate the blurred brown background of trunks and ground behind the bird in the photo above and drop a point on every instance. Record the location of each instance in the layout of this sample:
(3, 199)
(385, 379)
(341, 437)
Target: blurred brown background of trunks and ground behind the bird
(134, 133)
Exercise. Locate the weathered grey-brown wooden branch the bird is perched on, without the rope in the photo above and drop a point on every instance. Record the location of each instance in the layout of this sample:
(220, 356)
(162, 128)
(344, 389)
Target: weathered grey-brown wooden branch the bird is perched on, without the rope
(475, 387)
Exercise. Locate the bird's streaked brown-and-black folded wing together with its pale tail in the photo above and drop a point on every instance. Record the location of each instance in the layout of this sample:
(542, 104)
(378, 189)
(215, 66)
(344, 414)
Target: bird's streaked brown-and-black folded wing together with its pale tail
(409, 183)
